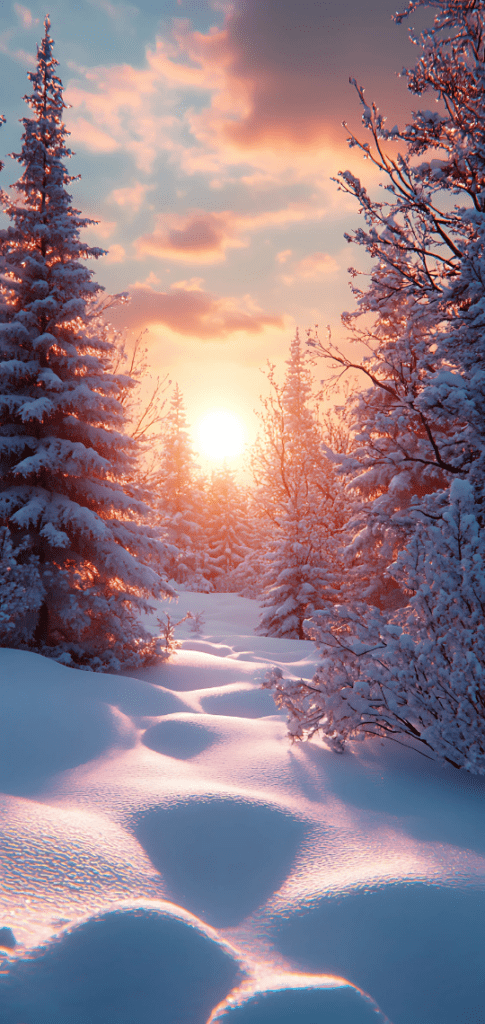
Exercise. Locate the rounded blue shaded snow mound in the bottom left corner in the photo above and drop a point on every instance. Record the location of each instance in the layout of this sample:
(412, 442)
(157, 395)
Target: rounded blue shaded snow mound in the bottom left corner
(135, 965)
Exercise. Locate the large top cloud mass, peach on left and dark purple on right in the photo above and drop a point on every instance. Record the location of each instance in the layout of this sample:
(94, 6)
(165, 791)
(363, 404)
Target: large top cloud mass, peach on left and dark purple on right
(257, 91)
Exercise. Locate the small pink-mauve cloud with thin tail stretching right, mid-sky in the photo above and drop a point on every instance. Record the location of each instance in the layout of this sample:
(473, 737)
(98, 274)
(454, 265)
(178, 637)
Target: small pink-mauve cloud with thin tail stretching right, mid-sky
(201, 237)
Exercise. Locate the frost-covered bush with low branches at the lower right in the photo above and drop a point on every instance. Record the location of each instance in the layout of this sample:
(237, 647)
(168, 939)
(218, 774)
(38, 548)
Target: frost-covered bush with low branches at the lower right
(420, 672)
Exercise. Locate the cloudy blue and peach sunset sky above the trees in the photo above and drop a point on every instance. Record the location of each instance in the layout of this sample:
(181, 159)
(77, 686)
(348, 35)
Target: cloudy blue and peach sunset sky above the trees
(207, 136)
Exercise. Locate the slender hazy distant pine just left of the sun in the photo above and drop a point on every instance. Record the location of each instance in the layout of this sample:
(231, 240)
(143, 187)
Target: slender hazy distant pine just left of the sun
(181, 499)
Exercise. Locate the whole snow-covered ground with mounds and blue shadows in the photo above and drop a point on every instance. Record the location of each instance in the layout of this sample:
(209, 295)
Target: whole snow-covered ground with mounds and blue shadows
(169, 859)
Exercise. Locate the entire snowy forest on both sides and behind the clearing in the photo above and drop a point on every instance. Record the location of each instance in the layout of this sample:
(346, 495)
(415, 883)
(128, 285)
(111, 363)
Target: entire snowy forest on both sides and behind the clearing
(364, 527)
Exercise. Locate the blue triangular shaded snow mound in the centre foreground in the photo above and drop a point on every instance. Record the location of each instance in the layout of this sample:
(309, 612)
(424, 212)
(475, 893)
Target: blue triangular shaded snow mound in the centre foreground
(222, 859)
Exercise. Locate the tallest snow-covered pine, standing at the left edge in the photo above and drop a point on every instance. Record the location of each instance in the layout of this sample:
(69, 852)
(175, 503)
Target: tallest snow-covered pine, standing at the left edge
(77, 538)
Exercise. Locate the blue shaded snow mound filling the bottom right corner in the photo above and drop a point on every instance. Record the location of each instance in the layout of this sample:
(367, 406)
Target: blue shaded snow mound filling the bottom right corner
(413, 928)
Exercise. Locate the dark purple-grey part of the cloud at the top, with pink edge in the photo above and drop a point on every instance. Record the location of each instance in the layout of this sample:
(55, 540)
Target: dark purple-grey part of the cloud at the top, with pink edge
(284, 81)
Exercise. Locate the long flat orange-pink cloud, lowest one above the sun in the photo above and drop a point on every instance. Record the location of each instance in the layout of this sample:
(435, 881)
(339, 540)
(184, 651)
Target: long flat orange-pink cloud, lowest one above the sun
(192, 313)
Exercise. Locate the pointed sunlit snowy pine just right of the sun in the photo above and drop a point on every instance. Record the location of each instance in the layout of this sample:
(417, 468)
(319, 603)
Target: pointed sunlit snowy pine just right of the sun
(298, 494)
